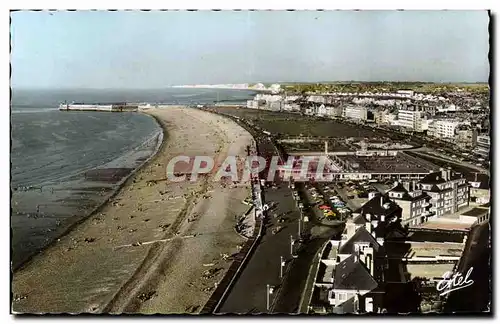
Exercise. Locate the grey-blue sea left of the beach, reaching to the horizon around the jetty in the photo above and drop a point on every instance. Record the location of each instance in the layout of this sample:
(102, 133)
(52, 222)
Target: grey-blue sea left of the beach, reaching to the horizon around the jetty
(65, 165)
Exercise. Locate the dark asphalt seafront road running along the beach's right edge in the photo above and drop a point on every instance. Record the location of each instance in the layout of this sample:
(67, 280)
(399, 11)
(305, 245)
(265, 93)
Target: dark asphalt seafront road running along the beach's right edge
(248, 295)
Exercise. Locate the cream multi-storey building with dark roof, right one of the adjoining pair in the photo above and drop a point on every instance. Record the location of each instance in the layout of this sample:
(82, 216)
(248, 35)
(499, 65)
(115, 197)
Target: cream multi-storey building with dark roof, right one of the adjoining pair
(448, 191)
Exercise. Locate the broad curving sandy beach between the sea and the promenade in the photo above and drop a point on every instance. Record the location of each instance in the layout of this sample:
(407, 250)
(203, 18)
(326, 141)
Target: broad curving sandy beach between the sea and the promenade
(157, 246)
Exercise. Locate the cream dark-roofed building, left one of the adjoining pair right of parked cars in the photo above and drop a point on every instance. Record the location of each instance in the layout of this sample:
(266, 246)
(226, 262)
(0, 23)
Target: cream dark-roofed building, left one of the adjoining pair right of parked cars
(413, 201)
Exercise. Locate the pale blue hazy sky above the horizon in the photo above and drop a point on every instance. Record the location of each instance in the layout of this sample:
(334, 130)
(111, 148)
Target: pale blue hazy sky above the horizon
(140, 49)
